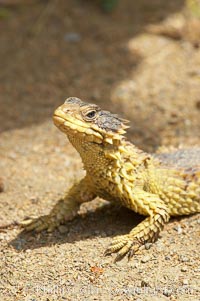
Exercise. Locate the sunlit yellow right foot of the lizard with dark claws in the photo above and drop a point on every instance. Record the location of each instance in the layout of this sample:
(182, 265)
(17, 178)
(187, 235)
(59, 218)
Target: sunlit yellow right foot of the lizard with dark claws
(124, 244)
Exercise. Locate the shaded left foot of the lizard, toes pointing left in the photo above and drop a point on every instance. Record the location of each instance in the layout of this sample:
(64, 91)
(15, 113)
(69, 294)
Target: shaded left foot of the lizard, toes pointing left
(45, 222)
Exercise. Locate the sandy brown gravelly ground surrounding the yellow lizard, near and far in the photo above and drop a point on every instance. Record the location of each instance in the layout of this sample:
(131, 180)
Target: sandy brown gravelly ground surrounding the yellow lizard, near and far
(141, 61)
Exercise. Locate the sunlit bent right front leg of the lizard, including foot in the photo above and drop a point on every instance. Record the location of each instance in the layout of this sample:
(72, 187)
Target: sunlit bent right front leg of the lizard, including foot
(147, 231)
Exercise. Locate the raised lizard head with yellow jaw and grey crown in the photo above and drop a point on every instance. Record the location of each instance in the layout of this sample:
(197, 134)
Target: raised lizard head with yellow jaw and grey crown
(88, 120)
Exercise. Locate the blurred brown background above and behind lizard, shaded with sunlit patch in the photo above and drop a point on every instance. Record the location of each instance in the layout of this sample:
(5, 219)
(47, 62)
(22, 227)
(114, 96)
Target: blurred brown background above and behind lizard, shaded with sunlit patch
(138, 58)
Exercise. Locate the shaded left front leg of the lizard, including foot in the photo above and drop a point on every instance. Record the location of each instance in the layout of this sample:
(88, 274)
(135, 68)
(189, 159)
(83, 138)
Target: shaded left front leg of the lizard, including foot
(64, 210)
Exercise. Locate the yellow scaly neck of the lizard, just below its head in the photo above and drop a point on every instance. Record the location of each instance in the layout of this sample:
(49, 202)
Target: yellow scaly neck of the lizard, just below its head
(99, 158)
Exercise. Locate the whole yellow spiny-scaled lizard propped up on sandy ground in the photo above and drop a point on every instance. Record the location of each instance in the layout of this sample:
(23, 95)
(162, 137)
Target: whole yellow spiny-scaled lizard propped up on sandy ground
(157, 186)
